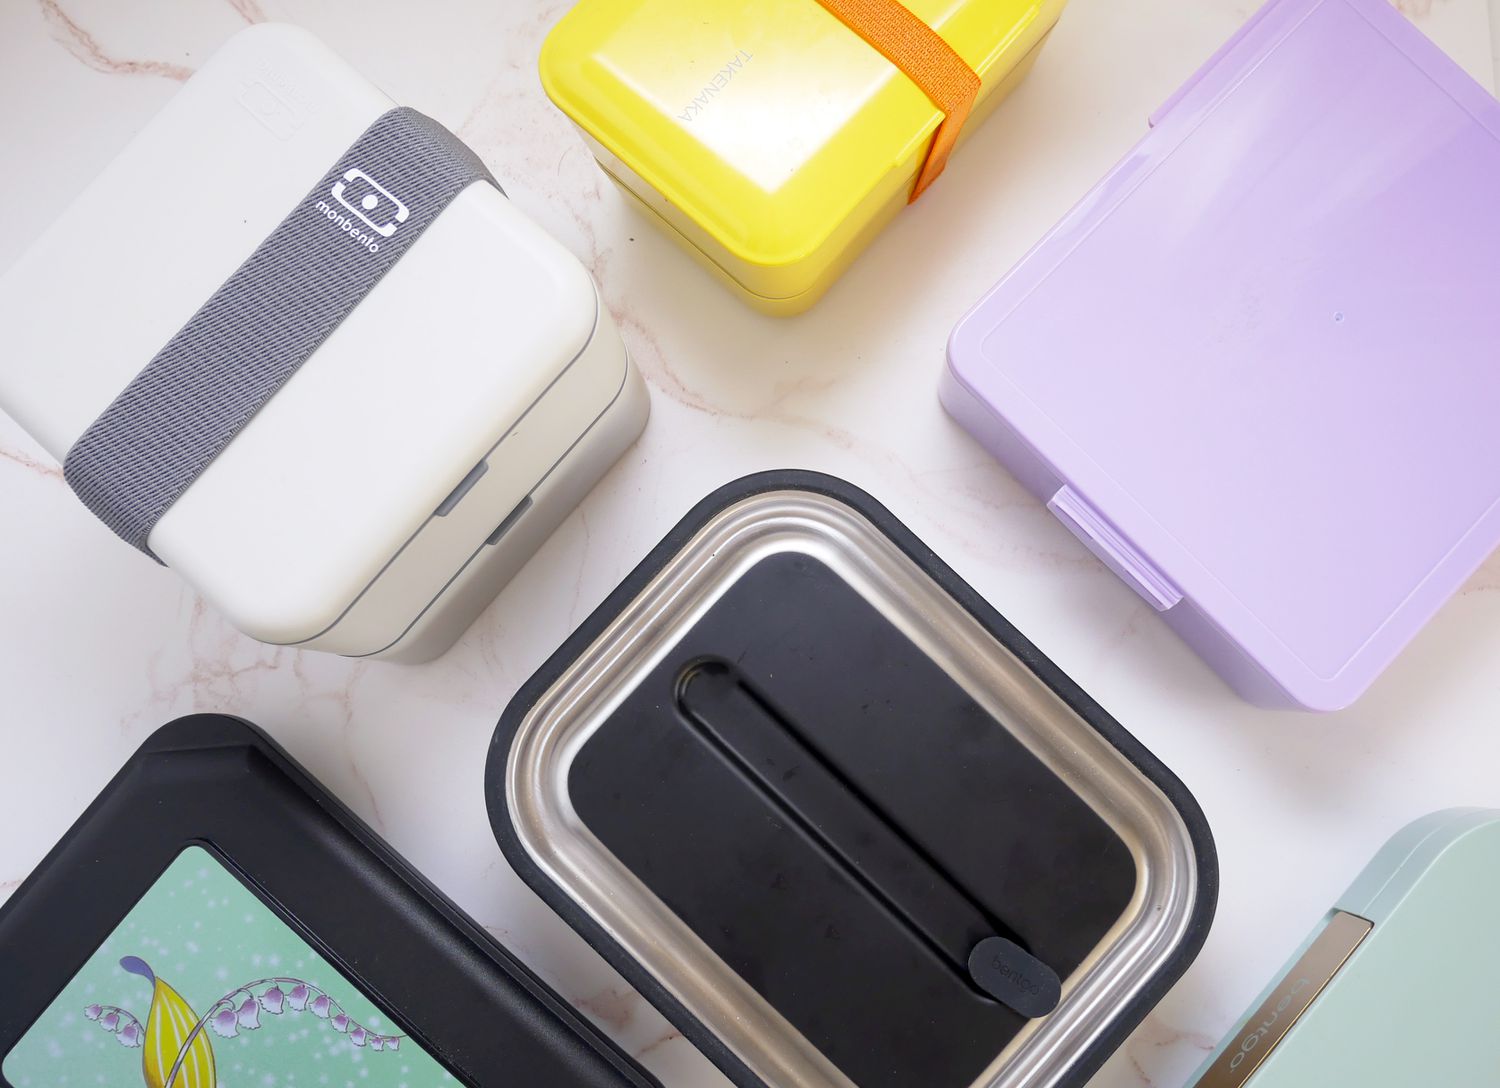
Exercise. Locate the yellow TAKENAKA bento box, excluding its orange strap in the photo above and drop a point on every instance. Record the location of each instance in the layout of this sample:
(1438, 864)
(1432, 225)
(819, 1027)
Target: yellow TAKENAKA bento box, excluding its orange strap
(769, 136)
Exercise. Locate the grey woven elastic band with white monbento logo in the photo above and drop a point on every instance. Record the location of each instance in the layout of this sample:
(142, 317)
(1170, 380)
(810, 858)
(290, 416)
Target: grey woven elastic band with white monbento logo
(187, 406)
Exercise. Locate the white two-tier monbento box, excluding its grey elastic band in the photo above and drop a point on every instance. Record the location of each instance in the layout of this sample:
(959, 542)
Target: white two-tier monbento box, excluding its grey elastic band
(386, 493)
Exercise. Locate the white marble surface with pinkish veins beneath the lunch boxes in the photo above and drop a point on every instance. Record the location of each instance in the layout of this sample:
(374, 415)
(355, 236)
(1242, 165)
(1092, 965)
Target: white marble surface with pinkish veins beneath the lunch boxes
(98, 648)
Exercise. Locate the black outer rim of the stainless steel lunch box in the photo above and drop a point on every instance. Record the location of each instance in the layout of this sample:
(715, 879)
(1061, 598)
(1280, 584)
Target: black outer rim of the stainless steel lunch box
(1205, 856)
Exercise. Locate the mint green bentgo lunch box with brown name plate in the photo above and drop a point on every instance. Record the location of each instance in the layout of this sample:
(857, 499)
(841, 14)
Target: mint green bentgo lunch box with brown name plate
(1394, 987)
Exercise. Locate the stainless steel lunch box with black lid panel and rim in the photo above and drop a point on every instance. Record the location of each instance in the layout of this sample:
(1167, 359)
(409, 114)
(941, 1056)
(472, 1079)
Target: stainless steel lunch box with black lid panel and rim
(841, 822)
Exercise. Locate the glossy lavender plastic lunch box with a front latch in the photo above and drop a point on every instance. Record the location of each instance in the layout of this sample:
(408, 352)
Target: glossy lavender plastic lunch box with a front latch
(1253, 370)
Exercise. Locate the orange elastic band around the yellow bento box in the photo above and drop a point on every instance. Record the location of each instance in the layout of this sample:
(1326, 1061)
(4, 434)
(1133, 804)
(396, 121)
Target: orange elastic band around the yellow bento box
(931, 64)
